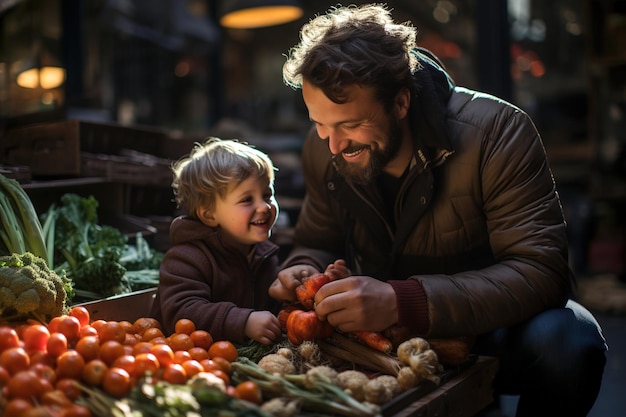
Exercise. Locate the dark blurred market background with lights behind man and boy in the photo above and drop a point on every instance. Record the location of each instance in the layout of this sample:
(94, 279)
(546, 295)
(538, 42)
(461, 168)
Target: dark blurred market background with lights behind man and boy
(99, 96)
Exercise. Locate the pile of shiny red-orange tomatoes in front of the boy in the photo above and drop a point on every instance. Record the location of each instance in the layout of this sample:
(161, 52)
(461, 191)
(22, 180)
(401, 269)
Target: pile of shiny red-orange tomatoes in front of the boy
(40, 364)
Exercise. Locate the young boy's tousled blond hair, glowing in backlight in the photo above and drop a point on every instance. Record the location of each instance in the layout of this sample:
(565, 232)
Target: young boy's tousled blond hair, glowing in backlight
(212, 167)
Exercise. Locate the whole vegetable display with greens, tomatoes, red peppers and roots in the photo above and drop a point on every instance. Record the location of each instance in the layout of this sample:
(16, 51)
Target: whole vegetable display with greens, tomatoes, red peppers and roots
(56, 361)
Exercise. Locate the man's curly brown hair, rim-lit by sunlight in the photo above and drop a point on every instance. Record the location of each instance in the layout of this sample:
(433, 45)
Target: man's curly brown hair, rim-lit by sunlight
(353, 45)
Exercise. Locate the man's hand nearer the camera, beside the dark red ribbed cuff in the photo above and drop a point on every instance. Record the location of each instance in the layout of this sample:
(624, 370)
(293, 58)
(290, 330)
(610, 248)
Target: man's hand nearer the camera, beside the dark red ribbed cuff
(357, 303)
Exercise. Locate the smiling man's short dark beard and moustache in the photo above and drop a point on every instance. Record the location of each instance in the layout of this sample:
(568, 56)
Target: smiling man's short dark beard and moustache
(378, 159)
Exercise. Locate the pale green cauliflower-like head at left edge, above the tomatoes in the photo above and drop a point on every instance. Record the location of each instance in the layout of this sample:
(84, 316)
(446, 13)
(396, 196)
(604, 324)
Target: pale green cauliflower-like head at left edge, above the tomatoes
(29, 289)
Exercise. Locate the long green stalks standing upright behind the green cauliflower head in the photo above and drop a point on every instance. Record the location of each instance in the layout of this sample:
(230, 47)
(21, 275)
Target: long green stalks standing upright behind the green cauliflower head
(20, 228)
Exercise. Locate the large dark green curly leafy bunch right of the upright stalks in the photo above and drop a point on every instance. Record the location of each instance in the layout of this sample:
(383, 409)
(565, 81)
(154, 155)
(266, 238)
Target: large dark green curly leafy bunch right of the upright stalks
(90, 252)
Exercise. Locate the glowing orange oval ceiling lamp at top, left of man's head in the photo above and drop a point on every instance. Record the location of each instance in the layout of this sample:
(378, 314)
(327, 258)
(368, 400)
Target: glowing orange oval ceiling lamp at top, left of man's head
(249, 14)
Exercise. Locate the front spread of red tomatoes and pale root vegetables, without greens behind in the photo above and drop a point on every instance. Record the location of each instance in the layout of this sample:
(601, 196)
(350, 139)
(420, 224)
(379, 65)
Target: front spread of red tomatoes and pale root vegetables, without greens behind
(73, 366)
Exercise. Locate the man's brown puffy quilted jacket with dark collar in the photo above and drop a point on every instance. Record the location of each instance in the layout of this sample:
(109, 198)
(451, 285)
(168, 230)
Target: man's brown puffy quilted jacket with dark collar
(479, 240)
